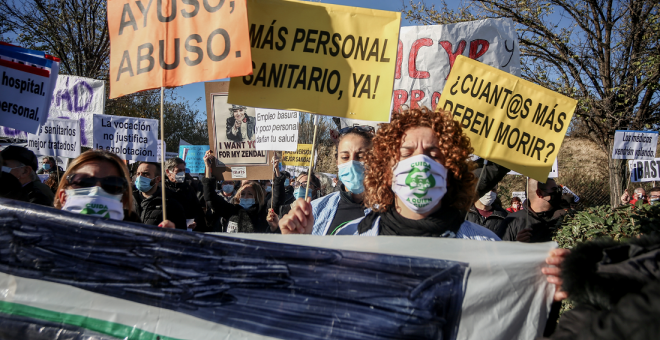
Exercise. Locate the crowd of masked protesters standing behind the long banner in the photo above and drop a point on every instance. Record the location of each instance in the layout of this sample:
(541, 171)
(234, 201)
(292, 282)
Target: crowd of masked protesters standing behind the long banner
(413, 177)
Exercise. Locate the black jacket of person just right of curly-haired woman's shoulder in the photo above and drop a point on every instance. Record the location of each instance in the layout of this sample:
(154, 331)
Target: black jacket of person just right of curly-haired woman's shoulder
(544, 225)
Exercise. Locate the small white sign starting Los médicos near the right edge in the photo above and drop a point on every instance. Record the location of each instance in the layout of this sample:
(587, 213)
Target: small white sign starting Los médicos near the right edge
(634, 144)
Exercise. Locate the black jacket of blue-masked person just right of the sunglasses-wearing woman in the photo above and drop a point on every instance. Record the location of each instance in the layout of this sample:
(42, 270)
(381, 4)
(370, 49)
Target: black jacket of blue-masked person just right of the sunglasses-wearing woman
(150, 209)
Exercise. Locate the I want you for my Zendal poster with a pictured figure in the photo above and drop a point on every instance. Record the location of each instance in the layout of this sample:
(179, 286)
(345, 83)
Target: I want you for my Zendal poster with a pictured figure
(234, 127)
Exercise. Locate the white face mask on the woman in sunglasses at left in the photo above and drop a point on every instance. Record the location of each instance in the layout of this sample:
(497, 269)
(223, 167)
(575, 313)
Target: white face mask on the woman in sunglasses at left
(94, 201)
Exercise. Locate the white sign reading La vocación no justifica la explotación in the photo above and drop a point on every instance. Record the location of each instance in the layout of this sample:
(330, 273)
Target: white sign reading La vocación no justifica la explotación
(133, 139)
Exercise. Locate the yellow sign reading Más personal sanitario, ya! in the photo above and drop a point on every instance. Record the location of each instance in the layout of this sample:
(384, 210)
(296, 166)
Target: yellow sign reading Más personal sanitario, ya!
(327, 59)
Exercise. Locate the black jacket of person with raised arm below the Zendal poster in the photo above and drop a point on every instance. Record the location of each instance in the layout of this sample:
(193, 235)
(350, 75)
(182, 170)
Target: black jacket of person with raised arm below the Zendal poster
(252, 220)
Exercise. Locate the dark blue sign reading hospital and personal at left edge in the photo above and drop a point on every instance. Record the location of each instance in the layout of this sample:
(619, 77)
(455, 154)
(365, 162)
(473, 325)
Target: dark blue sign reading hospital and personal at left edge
(26, 88)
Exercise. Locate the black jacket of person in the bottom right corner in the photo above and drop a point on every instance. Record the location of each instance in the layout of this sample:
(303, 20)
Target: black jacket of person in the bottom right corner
(615, 288)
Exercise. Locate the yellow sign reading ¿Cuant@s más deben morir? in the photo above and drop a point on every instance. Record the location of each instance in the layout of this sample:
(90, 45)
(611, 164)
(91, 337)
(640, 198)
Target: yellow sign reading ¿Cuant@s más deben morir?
(510, 121)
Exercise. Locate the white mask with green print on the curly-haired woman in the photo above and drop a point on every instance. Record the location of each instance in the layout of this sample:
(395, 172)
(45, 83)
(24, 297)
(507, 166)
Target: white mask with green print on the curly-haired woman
(420, 182)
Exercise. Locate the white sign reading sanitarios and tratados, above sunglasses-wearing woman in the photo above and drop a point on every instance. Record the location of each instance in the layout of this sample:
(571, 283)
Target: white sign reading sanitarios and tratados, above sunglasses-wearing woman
(56, 137)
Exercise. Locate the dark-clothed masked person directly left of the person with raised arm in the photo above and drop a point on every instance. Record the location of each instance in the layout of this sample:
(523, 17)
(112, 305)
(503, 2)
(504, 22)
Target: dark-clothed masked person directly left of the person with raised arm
(175, 171)
